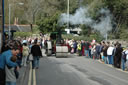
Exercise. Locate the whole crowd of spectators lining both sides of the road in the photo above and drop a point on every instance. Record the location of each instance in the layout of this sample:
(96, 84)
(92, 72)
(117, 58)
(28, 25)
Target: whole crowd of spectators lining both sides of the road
(16, 53)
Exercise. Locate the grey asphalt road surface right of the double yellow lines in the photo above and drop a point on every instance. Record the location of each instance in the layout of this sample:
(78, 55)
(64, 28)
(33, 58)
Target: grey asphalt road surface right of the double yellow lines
(78, 71)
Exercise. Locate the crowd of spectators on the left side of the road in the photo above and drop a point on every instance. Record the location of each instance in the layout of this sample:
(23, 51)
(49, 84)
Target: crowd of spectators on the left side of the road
(14, 55)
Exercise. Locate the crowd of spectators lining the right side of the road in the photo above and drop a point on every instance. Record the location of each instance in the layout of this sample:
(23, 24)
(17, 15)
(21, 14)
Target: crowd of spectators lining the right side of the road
(109, 53)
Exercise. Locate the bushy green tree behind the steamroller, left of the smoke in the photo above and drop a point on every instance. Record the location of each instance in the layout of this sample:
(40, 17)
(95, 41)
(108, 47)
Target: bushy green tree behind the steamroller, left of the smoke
(50, 24)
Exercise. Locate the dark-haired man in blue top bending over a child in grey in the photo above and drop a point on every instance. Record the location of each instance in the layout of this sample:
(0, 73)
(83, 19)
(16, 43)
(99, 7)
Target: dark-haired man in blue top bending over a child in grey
(5, 57)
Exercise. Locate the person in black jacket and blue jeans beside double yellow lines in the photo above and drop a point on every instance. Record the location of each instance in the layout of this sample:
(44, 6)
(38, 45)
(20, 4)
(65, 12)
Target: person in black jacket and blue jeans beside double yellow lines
(36, 53)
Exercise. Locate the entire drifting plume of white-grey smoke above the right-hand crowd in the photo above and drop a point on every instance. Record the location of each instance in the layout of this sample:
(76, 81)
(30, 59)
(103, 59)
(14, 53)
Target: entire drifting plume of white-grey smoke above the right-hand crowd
(81, 16)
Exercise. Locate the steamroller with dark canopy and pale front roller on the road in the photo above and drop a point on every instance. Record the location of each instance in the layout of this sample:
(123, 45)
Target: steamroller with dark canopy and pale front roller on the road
(59, 48)
